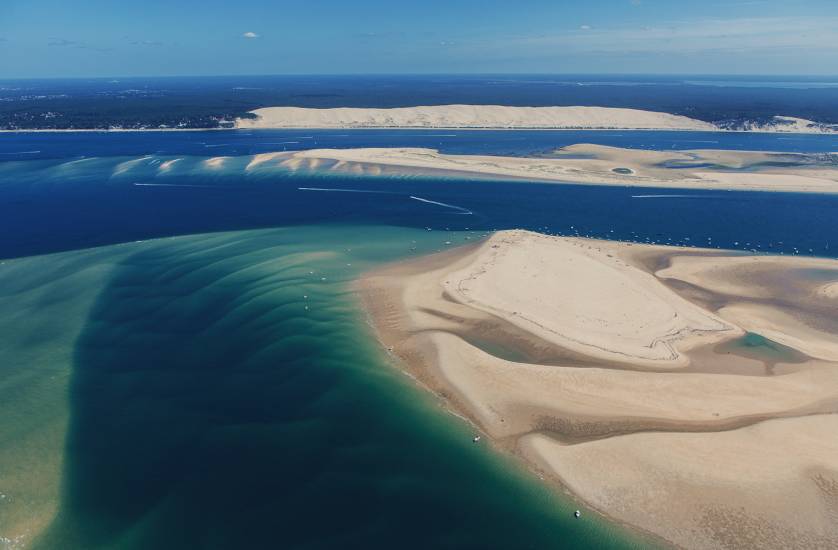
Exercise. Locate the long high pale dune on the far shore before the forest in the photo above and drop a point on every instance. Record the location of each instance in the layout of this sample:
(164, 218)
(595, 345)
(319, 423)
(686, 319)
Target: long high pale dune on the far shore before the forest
(471, 116)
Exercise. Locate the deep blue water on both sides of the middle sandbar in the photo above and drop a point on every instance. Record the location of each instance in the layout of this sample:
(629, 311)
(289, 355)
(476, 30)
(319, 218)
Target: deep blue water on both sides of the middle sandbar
(77, 188)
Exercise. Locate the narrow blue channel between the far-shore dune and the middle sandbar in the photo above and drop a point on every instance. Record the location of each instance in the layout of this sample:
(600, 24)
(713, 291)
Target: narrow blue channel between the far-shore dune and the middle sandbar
(214, 143)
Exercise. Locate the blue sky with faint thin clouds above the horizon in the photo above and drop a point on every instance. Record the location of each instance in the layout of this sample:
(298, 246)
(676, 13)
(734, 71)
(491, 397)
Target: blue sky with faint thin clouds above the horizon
(58, 38)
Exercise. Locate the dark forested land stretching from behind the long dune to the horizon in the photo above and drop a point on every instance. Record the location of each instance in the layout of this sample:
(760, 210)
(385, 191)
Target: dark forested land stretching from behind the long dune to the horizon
(729, 103)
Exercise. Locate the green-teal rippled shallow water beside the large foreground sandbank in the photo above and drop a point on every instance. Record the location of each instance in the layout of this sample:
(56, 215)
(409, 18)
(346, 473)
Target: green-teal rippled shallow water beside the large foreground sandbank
(224, 391)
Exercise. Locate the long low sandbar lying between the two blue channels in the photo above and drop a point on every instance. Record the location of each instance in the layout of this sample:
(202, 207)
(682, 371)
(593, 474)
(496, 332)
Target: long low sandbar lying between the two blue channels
(595, 165)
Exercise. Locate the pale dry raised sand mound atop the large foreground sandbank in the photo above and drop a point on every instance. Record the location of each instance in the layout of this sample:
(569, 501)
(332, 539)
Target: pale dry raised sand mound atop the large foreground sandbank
(597, 305)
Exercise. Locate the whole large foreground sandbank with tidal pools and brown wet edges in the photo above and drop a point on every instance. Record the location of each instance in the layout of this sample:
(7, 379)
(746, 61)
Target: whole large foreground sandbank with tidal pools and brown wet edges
(690, 393)
